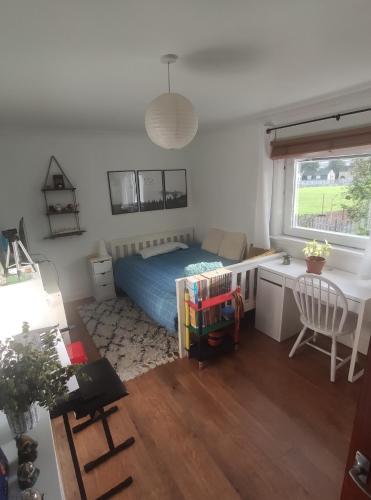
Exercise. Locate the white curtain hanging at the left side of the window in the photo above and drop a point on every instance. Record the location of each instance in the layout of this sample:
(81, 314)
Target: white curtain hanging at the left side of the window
(263, 192)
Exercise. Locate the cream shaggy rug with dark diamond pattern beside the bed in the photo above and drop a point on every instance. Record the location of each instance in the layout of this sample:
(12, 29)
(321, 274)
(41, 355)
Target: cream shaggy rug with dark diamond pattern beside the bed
(127, 337)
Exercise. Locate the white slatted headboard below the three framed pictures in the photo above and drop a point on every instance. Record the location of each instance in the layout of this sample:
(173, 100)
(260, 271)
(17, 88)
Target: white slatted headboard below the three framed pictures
(130, 246)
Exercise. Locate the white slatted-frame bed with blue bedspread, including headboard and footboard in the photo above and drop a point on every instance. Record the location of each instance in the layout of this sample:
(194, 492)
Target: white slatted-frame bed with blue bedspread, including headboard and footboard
(158, 284)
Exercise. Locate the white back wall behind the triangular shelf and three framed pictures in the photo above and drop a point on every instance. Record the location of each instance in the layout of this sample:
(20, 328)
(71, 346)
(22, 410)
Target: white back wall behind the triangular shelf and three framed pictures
(86, 157)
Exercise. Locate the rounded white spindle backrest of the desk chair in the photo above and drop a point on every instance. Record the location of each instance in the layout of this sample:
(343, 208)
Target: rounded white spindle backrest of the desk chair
(322, 305)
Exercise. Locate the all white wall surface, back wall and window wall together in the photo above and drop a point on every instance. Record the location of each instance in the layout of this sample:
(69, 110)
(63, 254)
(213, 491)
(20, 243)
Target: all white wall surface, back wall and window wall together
(222, 166)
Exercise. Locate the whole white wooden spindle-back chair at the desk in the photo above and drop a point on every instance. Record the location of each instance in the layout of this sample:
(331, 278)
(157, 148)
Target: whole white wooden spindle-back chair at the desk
(324, 309)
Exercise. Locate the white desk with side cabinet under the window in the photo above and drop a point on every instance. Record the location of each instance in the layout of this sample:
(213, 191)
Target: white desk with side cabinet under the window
(276, 310)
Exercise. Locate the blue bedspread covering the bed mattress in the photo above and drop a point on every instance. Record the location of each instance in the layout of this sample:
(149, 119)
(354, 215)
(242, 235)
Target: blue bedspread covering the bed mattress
(150, 283)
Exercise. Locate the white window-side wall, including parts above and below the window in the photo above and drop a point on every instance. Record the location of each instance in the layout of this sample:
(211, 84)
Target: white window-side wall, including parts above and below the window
(225, 161)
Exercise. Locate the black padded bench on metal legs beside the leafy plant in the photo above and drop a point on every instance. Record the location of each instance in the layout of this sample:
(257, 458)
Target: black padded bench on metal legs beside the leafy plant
(99, 386)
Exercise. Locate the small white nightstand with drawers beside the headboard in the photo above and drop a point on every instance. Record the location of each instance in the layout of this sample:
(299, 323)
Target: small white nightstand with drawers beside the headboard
(102, 278)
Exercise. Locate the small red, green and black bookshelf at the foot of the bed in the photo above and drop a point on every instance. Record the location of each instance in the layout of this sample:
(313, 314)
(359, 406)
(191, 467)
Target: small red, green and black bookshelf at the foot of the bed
(197, 344)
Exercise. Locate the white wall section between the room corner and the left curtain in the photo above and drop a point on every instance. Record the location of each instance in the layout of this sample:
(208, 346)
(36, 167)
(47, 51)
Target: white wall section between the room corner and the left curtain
(224, 177)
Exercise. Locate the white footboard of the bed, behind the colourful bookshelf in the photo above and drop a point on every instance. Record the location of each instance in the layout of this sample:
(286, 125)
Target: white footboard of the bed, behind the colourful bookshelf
(244, 276)
